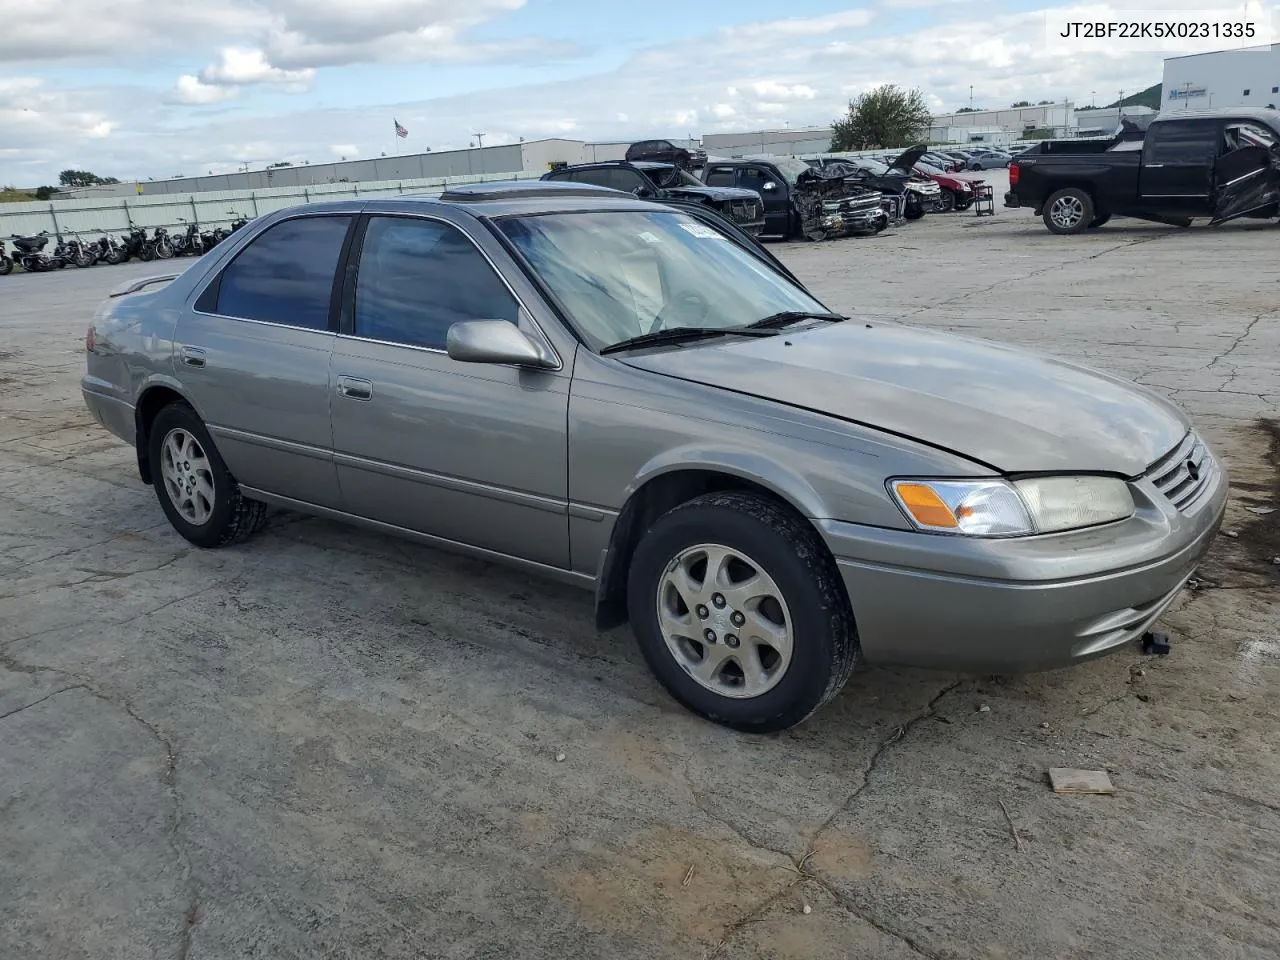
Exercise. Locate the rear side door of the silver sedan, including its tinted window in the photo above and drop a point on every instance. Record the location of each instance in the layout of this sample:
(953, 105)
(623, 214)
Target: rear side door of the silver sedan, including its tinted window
(253, 358)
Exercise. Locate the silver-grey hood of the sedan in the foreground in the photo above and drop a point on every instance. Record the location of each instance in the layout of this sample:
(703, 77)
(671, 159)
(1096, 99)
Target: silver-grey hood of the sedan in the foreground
(1007, 409)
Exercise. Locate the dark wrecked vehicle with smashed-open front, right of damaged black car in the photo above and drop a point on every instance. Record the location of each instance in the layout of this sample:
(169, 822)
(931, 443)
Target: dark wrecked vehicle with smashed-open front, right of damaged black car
(801, 202)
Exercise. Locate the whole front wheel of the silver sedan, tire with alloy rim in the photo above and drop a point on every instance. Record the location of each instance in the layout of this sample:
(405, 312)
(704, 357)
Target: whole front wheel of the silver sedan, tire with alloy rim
(803, 593)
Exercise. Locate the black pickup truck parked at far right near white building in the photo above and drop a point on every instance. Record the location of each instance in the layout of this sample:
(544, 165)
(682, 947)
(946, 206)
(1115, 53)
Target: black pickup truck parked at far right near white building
(1218, 164)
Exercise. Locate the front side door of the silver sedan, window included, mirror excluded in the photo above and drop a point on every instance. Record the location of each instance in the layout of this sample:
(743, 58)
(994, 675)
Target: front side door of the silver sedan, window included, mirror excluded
(474, 454)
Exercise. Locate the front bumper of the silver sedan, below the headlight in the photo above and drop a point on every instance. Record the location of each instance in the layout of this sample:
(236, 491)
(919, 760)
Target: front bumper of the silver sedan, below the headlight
(1030, 604)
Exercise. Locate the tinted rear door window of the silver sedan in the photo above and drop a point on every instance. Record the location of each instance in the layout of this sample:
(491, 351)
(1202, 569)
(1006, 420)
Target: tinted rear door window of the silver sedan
(286, 276)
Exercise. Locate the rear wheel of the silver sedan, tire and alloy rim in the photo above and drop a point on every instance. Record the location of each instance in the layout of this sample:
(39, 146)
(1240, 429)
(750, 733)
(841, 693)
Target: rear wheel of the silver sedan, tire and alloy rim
(220, 518)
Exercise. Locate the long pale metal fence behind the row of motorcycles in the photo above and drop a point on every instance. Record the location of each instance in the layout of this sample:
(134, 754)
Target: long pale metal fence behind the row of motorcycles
(214, 209)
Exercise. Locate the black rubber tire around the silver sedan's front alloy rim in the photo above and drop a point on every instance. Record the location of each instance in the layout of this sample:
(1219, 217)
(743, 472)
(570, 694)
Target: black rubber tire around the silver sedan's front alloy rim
(804, 687)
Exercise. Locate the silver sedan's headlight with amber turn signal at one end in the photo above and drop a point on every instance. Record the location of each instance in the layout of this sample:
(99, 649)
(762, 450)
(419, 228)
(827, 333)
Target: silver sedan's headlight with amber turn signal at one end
(1043, 505)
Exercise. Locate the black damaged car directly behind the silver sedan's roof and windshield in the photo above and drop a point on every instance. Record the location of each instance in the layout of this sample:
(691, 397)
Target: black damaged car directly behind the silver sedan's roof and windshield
(655, 181)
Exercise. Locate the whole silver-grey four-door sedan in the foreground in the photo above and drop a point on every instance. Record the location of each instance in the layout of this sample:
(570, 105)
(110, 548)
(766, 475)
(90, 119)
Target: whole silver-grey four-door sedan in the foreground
(642, 401)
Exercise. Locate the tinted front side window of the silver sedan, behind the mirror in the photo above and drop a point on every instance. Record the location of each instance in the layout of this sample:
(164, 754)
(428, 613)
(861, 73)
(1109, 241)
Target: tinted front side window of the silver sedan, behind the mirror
(418, 278)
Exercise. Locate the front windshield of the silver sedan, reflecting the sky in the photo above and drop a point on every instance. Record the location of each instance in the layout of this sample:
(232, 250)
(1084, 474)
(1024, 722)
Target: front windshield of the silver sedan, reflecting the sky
(629, 273)
